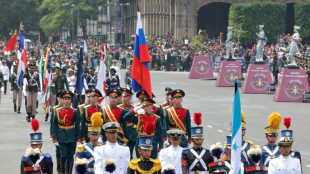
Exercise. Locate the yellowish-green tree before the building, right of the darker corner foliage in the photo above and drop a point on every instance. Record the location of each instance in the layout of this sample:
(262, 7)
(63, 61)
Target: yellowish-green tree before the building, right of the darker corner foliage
(63, 13)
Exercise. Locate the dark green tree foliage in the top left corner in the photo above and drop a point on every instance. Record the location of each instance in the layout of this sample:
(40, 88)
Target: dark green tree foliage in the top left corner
(14, 12)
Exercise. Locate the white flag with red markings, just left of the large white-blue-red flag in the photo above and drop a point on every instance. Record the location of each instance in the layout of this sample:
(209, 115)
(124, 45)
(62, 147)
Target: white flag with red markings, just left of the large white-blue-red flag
(101, 82)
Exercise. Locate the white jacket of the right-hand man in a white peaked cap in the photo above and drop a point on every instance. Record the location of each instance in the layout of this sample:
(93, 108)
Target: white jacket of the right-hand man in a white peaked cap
(172, 155)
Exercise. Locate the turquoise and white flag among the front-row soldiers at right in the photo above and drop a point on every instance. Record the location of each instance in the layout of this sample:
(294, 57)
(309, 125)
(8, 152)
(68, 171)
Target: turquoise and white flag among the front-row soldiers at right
(236, 133)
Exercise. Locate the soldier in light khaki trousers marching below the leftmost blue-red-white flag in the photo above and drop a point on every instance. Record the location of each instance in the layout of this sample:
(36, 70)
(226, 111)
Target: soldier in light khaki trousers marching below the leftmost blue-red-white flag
(33, 86)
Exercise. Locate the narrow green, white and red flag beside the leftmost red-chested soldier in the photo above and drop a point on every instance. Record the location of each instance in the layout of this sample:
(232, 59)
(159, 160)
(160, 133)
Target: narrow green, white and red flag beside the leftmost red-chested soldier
(47, 79)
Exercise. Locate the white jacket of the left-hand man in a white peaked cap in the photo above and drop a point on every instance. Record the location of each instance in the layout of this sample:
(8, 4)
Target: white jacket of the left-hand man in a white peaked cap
(120, 154)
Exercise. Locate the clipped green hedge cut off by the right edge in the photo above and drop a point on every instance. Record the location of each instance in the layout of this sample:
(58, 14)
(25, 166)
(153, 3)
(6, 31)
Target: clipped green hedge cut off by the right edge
(302, 19)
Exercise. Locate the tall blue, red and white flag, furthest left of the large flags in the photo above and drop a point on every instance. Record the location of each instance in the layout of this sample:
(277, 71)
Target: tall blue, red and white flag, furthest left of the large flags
(22, 58)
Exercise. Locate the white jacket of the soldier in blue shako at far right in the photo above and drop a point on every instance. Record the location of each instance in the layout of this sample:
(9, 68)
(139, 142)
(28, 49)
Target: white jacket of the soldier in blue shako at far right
(284, 165)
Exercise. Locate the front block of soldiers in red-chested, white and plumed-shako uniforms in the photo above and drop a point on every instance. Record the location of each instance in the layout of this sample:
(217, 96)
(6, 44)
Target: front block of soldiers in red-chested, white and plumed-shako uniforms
(122, 137)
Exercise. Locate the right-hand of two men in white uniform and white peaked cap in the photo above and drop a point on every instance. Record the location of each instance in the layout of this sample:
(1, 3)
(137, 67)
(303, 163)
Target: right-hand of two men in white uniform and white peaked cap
(172, 154)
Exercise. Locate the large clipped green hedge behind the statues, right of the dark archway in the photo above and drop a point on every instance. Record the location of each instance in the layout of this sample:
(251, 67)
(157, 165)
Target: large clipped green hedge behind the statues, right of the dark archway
(250, 15)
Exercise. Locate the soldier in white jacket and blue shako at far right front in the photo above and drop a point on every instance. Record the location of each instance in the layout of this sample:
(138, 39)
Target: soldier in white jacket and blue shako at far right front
(285, 163)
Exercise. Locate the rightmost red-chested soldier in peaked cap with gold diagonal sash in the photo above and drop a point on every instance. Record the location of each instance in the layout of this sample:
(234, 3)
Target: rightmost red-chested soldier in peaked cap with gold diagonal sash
(178, 117)
